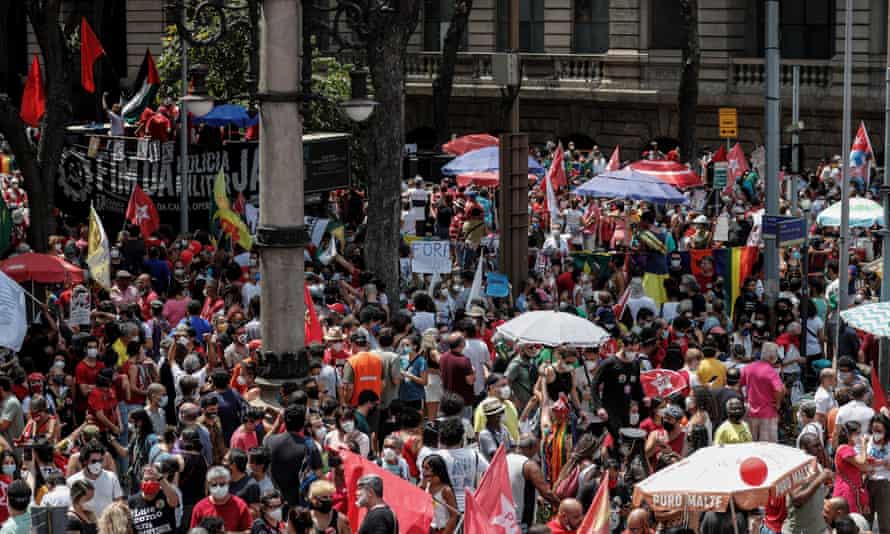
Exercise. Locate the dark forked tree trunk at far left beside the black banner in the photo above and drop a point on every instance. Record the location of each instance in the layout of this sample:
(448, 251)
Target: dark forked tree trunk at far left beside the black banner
(39, 165)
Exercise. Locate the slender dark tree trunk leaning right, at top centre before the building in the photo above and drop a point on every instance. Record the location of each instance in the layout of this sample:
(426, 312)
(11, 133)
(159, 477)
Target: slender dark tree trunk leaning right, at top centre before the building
(444, 82)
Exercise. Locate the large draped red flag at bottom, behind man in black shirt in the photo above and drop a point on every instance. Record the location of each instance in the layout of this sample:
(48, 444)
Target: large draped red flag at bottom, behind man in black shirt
(413, 506)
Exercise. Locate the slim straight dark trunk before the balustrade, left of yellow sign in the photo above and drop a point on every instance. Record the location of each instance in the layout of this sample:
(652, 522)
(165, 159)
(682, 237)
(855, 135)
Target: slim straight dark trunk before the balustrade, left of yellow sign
(688, 93)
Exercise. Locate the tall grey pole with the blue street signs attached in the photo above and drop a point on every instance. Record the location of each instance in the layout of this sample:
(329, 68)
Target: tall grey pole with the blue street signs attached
(771, 251)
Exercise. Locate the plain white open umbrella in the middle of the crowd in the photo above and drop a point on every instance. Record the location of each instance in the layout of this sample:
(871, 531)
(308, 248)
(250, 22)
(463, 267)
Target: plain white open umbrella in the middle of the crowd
(552, 329)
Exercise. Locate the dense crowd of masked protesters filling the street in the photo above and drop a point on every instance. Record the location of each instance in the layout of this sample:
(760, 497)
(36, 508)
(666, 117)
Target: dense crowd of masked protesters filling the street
(151, 419)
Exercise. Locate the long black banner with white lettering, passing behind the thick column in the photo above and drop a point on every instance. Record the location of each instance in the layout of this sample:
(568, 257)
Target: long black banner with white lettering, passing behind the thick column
(105, 177)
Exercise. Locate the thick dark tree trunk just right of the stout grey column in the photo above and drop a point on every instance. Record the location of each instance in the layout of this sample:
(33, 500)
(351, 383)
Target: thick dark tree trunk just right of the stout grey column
(385, 47)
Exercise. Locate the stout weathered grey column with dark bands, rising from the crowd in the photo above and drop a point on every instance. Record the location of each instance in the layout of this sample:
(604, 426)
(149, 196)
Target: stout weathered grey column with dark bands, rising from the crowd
(281, 178)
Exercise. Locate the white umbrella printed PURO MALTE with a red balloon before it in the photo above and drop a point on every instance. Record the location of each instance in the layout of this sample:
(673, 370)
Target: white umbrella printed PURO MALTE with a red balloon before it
(710, 479)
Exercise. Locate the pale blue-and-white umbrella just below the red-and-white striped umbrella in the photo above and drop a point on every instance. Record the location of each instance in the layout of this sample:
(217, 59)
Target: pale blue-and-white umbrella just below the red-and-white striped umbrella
(630, 184)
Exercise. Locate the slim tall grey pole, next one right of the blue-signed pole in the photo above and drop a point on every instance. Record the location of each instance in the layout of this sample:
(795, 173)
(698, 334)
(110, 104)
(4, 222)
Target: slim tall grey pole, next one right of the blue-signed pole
(843, 273)
